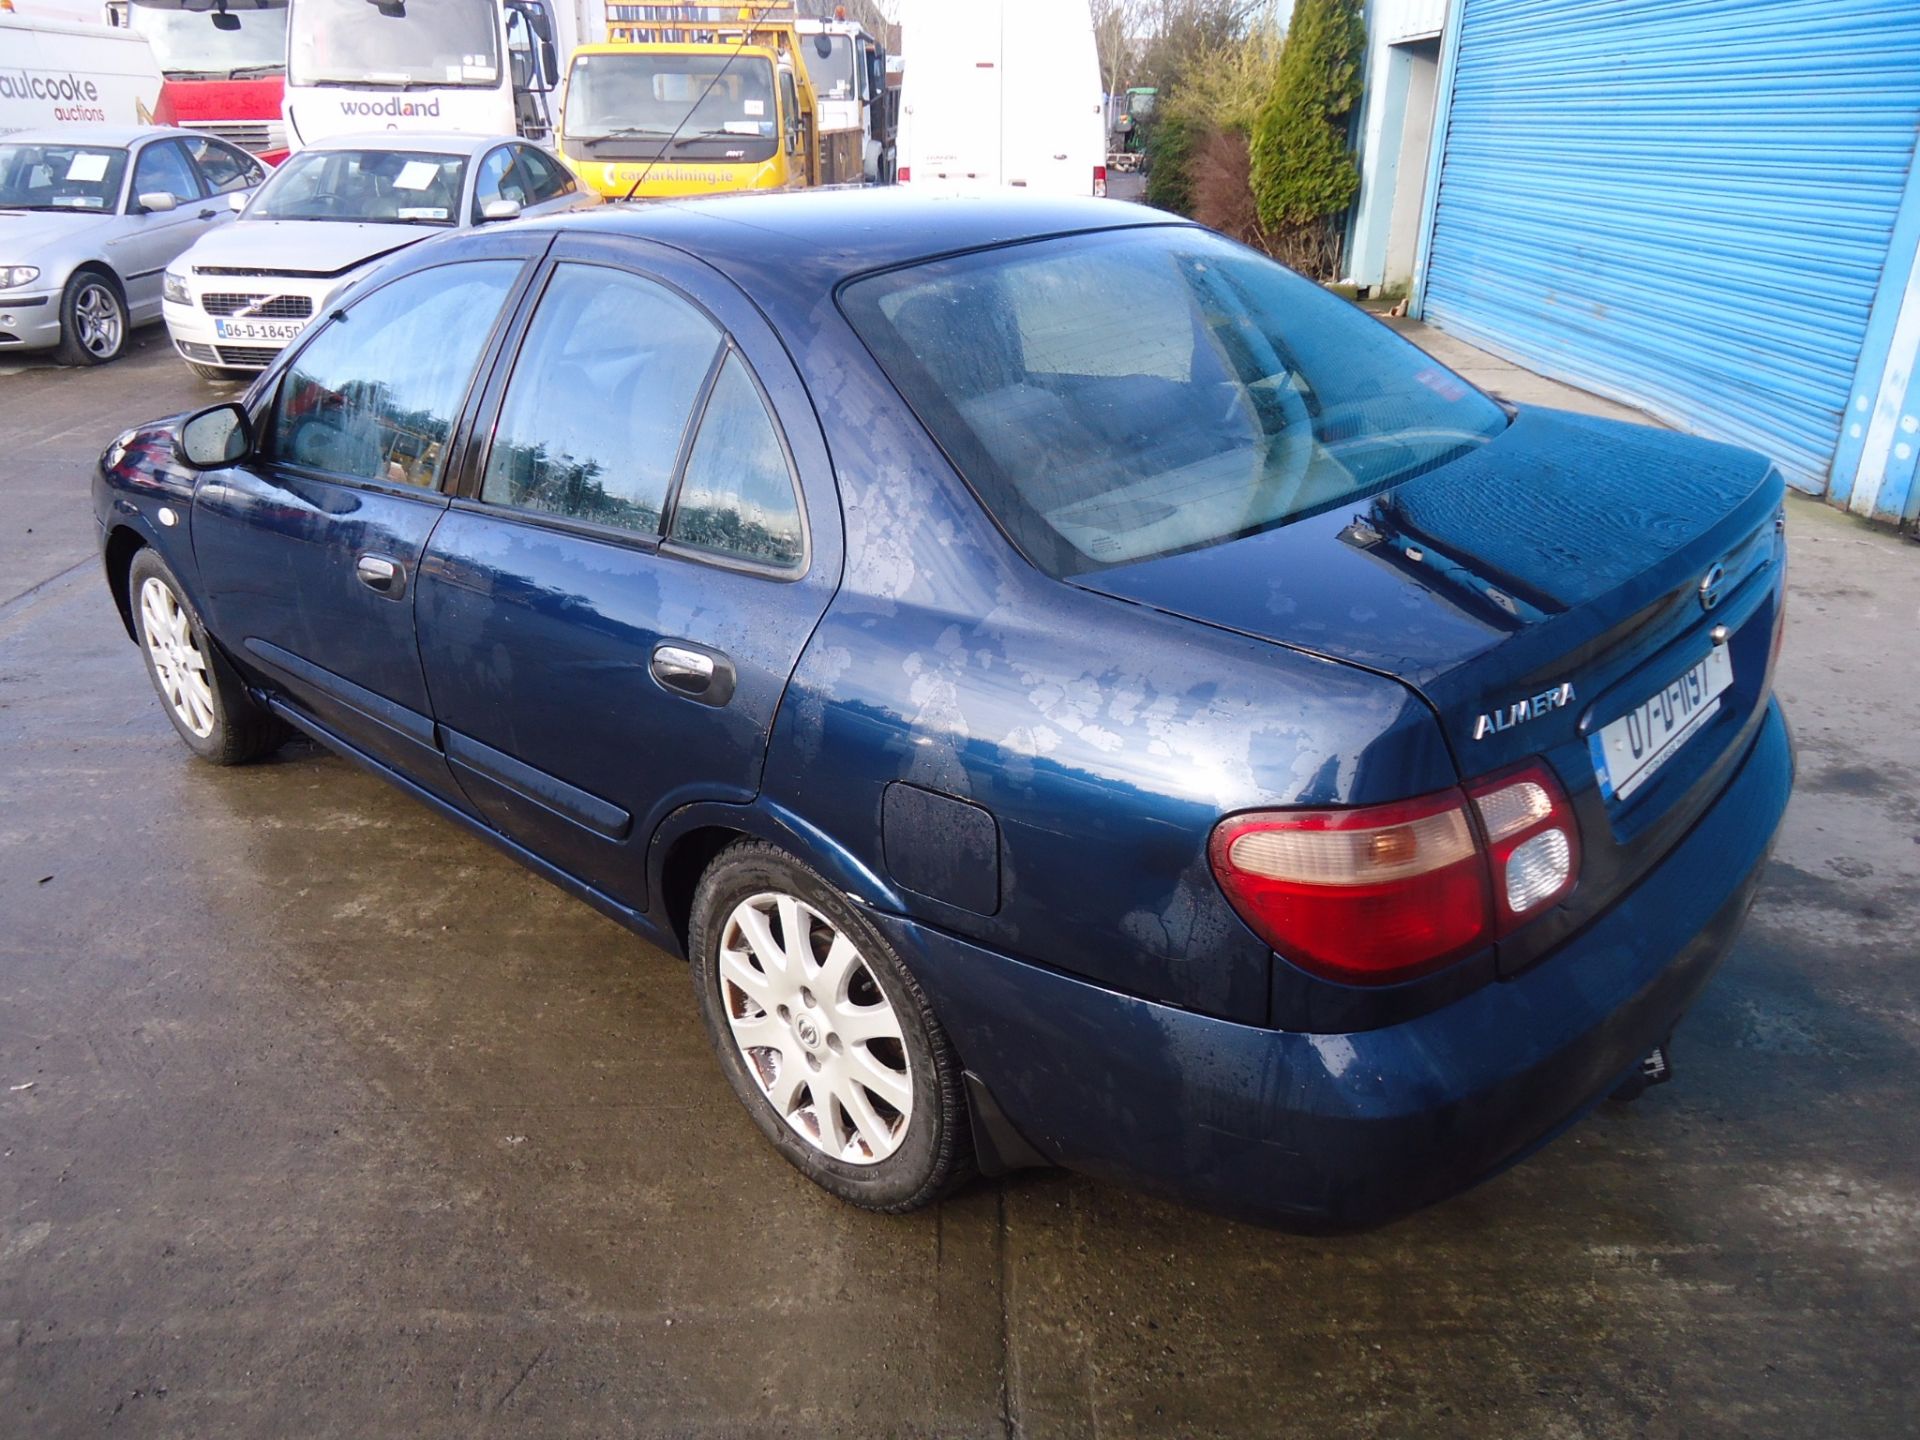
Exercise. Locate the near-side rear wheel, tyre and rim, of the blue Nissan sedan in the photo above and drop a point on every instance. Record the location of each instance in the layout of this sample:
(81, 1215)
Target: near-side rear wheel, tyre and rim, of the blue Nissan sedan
(825, 1036)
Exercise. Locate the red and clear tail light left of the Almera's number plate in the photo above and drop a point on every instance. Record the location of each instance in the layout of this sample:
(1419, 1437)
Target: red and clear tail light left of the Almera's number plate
(1391, 892)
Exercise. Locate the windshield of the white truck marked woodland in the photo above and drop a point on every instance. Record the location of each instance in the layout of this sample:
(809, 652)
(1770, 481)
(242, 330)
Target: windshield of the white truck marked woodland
(412, 43)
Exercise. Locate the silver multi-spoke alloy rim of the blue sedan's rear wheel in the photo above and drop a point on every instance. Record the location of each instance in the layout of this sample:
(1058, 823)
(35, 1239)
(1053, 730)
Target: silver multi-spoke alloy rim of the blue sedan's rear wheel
(815, 1028)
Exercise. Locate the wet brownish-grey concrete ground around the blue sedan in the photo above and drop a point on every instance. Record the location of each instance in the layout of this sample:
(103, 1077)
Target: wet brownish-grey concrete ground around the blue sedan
(322, 1118)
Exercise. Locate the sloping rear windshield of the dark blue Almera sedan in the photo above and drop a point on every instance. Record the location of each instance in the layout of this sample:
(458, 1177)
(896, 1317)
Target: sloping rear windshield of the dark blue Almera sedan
(1155, 391)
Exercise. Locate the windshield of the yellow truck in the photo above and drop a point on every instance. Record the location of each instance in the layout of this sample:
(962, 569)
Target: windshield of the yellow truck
(650, 97)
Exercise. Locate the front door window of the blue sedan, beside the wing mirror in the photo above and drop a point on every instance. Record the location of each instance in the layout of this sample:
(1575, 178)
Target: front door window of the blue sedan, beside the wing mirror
(375, 395)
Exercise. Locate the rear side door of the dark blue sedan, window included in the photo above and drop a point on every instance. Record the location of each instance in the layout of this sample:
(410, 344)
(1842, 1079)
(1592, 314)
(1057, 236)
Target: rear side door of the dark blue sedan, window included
(613, 606)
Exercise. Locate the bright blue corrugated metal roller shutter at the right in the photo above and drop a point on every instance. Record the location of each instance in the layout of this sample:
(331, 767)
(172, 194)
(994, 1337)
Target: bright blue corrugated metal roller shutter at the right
(1683, 204)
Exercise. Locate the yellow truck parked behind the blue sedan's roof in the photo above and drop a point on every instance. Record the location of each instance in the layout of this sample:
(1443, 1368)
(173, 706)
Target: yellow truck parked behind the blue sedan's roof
(690, 101)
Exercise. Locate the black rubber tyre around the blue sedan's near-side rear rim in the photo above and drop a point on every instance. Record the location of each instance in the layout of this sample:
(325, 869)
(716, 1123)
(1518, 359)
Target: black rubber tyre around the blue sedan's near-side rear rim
(936, 1149)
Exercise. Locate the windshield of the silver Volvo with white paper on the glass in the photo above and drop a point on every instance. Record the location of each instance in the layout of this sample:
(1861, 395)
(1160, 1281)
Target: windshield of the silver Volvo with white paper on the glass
(404, 187)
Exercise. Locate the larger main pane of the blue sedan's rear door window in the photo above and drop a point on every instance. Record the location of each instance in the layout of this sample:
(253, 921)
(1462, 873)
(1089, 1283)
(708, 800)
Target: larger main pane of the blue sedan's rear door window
(600, 400)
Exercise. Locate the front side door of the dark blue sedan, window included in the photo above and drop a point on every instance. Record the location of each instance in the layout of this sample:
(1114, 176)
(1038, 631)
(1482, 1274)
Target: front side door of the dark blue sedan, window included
(308, 554)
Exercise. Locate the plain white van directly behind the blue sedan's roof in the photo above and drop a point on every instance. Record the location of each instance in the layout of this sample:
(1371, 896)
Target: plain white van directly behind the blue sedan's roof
(1001, 93)
